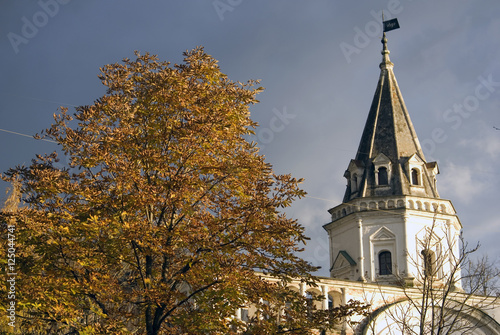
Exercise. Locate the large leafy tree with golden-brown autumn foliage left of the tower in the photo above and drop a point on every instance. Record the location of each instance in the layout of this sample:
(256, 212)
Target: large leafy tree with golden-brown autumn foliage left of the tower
(165, 216)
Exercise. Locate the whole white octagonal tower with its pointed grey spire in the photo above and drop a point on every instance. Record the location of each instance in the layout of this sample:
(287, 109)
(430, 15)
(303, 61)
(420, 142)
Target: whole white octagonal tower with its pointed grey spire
(392, 226)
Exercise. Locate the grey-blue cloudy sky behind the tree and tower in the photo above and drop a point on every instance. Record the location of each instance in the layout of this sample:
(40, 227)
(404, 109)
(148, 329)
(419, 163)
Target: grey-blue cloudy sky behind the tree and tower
(318, 61)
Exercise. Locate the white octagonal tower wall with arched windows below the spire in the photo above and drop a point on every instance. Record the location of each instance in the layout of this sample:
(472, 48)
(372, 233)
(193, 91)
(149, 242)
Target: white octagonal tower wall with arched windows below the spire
(402, 226)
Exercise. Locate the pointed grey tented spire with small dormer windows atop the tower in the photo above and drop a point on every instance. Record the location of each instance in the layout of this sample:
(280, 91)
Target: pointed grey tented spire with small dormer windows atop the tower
(389, 160)
